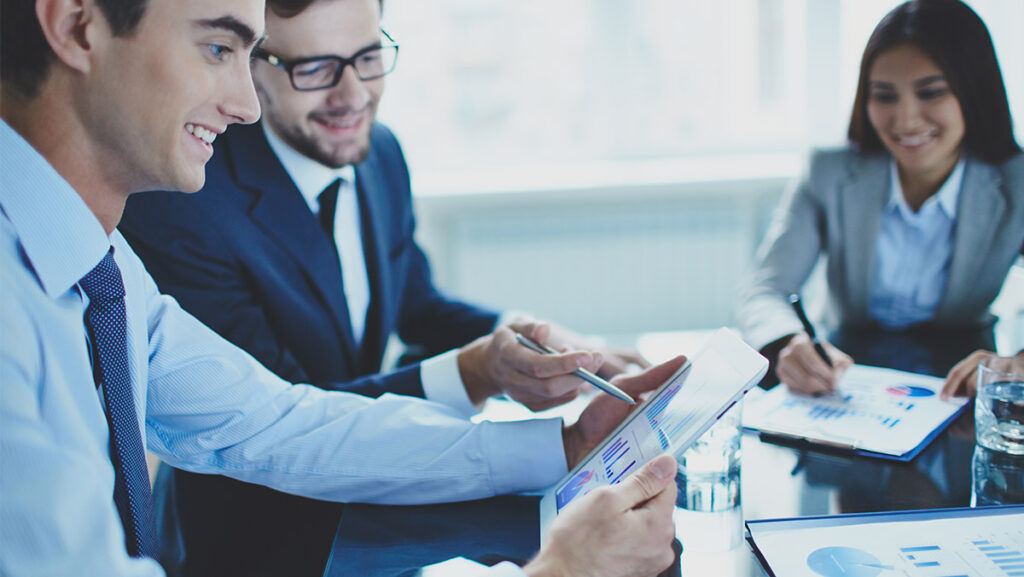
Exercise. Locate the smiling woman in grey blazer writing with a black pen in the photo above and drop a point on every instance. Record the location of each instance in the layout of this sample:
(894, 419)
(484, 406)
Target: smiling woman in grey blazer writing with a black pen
(920, 218)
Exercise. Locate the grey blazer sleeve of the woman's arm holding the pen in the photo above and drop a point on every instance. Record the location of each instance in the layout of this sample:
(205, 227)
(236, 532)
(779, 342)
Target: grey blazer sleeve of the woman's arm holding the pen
(782, 267)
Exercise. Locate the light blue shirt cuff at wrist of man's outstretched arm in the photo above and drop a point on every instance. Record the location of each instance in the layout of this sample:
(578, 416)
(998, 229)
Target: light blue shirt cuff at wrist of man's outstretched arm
(526, 456)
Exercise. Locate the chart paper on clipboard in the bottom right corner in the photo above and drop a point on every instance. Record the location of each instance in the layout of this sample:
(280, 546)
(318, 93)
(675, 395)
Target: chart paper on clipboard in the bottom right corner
(949, 548)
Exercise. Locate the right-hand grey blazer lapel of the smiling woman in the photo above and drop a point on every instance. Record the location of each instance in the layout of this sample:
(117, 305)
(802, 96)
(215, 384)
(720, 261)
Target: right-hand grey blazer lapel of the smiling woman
(979, 211)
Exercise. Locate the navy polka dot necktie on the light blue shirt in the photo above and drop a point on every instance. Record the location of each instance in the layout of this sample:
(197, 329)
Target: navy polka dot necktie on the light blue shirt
(105, 319)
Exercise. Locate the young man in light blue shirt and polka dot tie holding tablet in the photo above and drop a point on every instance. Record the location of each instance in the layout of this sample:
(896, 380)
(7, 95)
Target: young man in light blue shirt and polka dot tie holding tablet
(102, 99)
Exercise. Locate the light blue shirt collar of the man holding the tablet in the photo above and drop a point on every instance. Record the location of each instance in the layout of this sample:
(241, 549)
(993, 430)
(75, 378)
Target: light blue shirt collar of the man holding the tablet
(62, 238)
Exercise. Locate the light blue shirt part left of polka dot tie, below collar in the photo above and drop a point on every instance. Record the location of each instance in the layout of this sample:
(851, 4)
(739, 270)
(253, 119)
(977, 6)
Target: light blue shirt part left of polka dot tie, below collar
(57, 515)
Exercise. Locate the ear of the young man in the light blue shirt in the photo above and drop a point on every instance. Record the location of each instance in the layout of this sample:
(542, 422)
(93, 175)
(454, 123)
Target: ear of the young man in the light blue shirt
(71, 28)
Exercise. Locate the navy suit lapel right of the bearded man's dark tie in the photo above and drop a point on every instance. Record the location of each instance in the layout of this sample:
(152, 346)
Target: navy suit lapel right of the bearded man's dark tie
(375, 218)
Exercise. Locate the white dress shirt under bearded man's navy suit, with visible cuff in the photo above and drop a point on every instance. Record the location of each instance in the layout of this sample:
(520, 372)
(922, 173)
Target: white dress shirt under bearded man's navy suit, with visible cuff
(439, 376)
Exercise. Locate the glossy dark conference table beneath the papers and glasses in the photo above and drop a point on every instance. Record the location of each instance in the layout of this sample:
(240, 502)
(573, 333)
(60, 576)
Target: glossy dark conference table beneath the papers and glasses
(775, 481)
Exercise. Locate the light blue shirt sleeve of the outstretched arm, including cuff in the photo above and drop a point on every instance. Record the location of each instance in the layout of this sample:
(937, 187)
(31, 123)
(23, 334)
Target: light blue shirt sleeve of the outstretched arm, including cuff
(215, 409)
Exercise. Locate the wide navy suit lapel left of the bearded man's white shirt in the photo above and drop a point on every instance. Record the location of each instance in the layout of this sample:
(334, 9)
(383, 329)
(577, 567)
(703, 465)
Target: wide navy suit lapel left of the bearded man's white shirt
(282, 214)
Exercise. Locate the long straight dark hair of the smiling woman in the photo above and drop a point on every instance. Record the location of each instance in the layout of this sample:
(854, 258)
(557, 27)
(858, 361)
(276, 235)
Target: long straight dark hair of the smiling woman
(953, 35)
